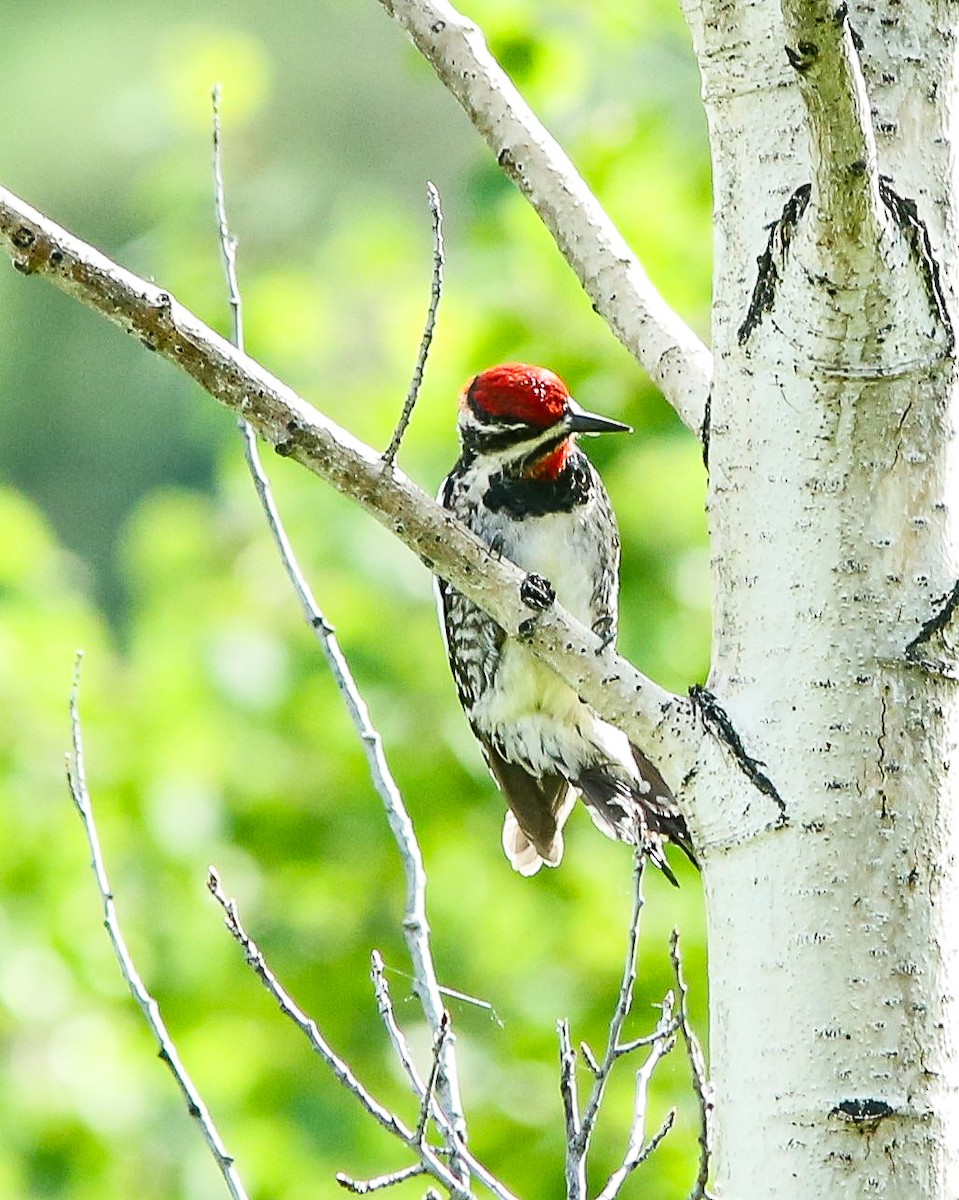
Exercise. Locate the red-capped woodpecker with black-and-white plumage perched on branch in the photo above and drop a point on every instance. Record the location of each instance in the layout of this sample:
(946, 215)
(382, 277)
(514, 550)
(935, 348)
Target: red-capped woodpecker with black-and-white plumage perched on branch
(526, 489)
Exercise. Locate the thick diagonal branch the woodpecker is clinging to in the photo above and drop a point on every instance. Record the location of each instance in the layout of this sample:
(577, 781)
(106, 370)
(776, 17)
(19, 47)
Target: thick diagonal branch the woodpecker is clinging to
(663, 724)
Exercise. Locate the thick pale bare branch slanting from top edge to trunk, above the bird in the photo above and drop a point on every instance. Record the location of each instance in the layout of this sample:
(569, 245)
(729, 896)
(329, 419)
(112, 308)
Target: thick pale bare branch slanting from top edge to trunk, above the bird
(609, 272)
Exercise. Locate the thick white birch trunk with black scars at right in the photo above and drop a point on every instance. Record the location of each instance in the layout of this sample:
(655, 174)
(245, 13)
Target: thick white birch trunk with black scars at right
(835, 523)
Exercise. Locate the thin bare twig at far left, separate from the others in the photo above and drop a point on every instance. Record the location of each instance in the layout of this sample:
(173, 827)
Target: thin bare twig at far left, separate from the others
(195, 1103)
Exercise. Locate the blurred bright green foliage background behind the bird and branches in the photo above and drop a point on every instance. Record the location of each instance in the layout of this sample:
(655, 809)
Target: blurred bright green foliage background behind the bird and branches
(214, 734)
